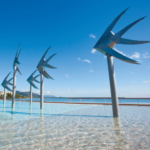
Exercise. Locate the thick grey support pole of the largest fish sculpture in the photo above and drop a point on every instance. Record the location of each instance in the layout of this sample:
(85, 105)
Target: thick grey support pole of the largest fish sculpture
(113, 88)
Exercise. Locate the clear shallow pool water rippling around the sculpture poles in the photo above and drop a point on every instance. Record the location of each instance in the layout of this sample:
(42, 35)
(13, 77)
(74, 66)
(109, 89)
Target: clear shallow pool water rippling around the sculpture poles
(73, 126)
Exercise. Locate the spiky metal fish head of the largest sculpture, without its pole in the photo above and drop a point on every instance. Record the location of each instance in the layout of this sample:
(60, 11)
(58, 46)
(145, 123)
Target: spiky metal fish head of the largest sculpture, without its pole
(108, 40)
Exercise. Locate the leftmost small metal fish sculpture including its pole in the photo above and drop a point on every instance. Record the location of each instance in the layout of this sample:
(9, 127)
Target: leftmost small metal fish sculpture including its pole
(5, 84)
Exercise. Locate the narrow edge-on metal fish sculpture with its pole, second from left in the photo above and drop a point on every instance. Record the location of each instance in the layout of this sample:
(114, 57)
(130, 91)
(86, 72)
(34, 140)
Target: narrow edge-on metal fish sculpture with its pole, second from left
(15, 67)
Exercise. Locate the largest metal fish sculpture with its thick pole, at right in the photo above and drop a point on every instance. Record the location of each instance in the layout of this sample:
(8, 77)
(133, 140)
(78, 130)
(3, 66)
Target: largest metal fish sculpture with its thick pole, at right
(105, 45)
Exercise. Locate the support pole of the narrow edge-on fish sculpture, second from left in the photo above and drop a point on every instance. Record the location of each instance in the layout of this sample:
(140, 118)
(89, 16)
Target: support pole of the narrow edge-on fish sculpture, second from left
(14, 87)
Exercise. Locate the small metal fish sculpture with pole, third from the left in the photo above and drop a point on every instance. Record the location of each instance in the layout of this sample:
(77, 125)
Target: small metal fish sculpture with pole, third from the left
(31, 79)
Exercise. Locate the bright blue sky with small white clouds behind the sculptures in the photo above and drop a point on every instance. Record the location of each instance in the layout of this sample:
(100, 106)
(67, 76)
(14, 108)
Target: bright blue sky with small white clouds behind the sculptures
(72, 28)
